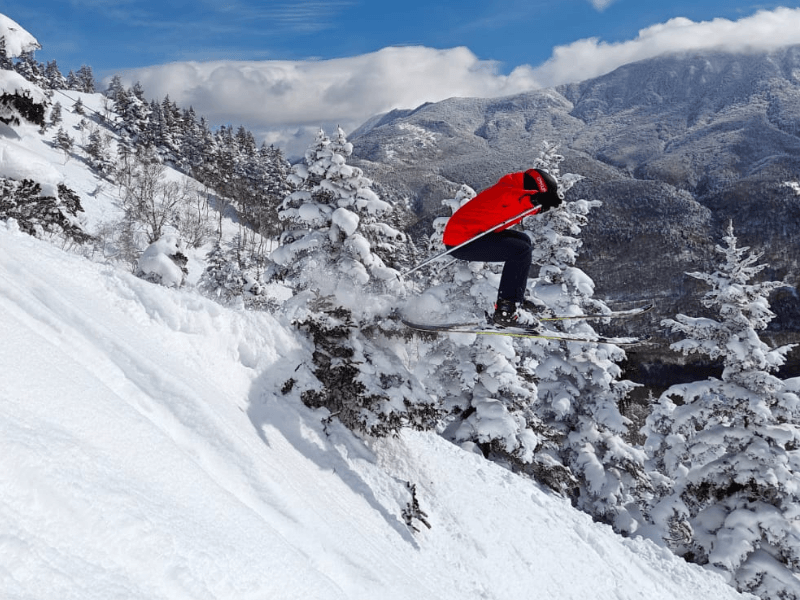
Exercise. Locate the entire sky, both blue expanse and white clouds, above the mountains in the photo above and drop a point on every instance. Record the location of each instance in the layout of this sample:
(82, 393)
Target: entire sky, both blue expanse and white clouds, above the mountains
(285, 68)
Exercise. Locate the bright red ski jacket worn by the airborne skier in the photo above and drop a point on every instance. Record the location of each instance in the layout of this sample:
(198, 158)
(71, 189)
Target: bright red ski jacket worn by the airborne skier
(503, 201)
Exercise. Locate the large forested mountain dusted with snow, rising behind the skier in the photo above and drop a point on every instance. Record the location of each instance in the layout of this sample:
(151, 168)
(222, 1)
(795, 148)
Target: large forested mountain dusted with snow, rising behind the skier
(675, 147)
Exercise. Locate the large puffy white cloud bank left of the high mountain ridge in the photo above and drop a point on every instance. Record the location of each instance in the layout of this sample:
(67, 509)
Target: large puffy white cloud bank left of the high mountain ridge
(280, 98)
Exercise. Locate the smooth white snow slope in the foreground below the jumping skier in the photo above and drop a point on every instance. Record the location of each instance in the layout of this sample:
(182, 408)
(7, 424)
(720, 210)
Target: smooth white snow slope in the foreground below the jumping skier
(145, 452)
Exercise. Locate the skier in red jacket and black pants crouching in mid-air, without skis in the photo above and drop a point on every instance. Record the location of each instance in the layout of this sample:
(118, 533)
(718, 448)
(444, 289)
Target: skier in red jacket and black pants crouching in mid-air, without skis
(514, 194)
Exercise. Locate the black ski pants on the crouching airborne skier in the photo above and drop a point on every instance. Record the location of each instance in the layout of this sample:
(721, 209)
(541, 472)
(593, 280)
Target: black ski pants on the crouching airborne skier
(513, 248)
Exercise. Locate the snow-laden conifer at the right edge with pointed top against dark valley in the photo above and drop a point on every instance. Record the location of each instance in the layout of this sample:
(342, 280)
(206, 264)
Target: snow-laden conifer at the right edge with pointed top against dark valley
(730, 447)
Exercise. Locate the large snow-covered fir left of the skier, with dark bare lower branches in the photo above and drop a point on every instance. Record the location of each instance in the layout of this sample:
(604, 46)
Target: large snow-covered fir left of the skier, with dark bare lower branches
(344, 294)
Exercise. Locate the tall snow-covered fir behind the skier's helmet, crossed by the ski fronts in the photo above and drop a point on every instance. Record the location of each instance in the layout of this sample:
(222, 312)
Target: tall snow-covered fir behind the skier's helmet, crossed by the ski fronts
(579, 384)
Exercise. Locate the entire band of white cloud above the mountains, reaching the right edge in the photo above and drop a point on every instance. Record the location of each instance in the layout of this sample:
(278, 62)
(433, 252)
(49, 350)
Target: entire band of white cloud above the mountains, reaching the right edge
(282, 100)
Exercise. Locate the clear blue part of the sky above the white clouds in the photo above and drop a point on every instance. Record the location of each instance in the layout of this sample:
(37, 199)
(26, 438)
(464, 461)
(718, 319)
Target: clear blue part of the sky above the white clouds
(111, 35)
